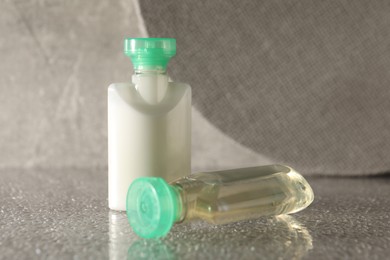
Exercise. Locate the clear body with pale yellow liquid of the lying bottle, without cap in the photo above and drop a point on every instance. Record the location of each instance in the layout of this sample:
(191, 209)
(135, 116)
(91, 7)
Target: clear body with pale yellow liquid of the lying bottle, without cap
(229, 196)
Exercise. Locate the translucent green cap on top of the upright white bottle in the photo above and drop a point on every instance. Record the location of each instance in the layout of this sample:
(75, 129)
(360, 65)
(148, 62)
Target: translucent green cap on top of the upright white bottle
(150, 53)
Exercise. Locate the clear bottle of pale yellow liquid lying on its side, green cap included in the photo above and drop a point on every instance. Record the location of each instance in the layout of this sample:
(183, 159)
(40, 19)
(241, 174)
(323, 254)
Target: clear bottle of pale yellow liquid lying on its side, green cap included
(216, 197)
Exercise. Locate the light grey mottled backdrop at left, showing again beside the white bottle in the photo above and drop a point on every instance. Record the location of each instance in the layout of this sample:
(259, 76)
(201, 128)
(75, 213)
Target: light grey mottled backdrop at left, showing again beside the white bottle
(57, 60)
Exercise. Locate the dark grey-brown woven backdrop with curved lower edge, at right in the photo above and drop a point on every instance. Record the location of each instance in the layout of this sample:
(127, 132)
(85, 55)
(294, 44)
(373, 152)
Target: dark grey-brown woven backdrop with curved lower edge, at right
(302, 82)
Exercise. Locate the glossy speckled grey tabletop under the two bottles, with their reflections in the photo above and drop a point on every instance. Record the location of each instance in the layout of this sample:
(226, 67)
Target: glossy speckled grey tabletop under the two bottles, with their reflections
(63, 214)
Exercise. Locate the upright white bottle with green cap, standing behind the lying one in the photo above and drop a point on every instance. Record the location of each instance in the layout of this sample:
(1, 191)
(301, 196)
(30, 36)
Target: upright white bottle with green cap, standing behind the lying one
(149, 120)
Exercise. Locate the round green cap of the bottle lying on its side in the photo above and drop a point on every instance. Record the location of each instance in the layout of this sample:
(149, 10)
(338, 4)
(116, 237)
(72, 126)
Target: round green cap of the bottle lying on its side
(152, 207)
